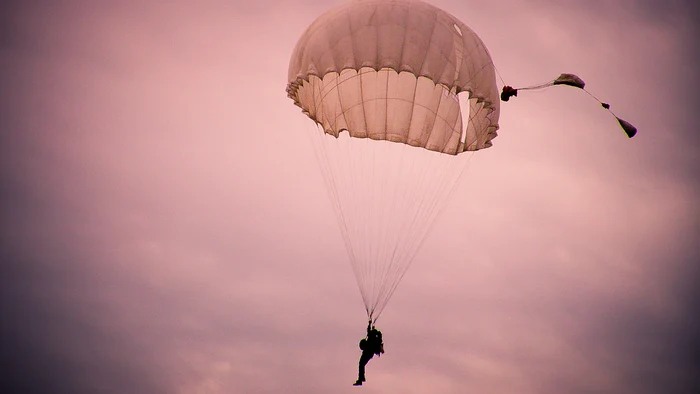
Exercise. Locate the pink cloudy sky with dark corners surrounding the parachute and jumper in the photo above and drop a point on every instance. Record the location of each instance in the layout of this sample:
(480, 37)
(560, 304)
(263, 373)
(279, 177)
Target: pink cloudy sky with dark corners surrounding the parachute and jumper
(165, 227)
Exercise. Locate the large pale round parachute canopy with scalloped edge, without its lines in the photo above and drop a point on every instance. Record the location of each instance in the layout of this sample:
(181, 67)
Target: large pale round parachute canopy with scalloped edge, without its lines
(392, 70)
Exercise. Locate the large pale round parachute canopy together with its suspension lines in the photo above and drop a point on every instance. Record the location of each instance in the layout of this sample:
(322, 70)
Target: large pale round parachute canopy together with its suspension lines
(382, 81)
